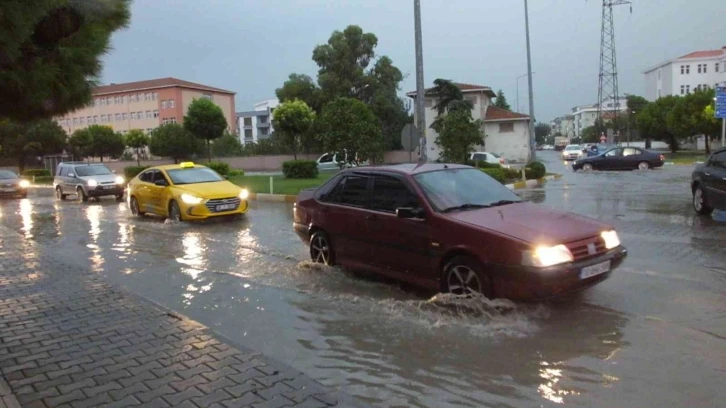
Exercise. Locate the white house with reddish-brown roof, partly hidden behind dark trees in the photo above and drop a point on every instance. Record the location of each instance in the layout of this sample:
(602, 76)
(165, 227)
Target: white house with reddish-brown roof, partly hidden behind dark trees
(507, 133)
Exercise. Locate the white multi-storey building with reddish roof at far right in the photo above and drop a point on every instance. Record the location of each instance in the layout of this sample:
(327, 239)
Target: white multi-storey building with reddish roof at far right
(681, 76)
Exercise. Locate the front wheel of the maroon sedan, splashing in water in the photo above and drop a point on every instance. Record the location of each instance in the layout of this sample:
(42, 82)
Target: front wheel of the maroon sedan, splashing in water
(464, 276)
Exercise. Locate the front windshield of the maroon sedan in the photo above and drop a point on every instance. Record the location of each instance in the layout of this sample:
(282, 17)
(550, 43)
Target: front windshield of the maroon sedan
(461, 189)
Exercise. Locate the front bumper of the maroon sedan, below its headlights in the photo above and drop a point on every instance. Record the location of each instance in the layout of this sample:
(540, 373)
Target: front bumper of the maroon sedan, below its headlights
(532, 283)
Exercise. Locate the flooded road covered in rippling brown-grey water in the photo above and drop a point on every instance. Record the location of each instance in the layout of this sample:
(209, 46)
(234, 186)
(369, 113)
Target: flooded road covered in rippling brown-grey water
(652, 335)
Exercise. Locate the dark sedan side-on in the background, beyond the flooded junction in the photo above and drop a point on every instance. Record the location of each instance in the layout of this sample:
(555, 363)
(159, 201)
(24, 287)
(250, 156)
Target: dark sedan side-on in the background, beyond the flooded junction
(621, 158)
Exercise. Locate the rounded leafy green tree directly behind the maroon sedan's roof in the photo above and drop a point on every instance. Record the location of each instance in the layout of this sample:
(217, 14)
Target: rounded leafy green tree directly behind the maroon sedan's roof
(349, 127)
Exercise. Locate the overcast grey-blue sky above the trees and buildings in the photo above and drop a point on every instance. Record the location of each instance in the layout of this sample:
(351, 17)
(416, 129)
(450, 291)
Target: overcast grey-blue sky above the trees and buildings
(251, 46)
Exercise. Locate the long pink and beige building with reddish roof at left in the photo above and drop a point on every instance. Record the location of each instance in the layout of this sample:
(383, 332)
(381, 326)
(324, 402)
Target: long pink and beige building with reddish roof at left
(145, 105)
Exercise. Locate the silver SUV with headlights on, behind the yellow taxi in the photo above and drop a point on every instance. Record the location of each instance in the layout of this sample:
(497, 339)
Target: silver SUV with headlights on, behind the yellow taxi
(87, 180)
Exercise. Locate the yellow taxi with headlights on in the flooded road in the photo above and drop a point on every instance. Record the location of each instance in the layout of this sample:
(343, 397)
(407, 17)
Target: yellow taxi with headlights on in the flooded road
(185, 191)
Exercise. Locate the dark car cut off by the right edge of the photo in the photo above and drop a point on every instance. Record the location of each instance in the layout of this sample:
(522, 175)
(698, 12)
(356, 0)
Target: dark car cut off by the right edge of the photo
(708, 184)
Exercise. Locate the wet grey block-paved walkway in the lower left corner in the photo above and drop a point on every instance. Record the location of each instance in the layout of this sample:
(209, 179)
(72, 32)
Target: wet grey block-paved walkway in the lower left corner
(68, 339)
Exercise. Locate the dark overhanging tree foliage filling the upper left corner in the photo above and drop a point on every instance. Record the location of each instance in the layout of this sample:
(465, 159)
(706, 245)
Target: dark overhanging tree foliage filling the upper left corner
(51, 51)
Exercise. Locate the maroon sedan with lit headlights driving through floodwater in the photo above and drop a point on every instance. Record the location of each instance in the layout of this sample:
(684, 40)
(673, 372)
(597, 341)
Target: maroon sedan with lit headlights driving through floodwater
(455, 229)
